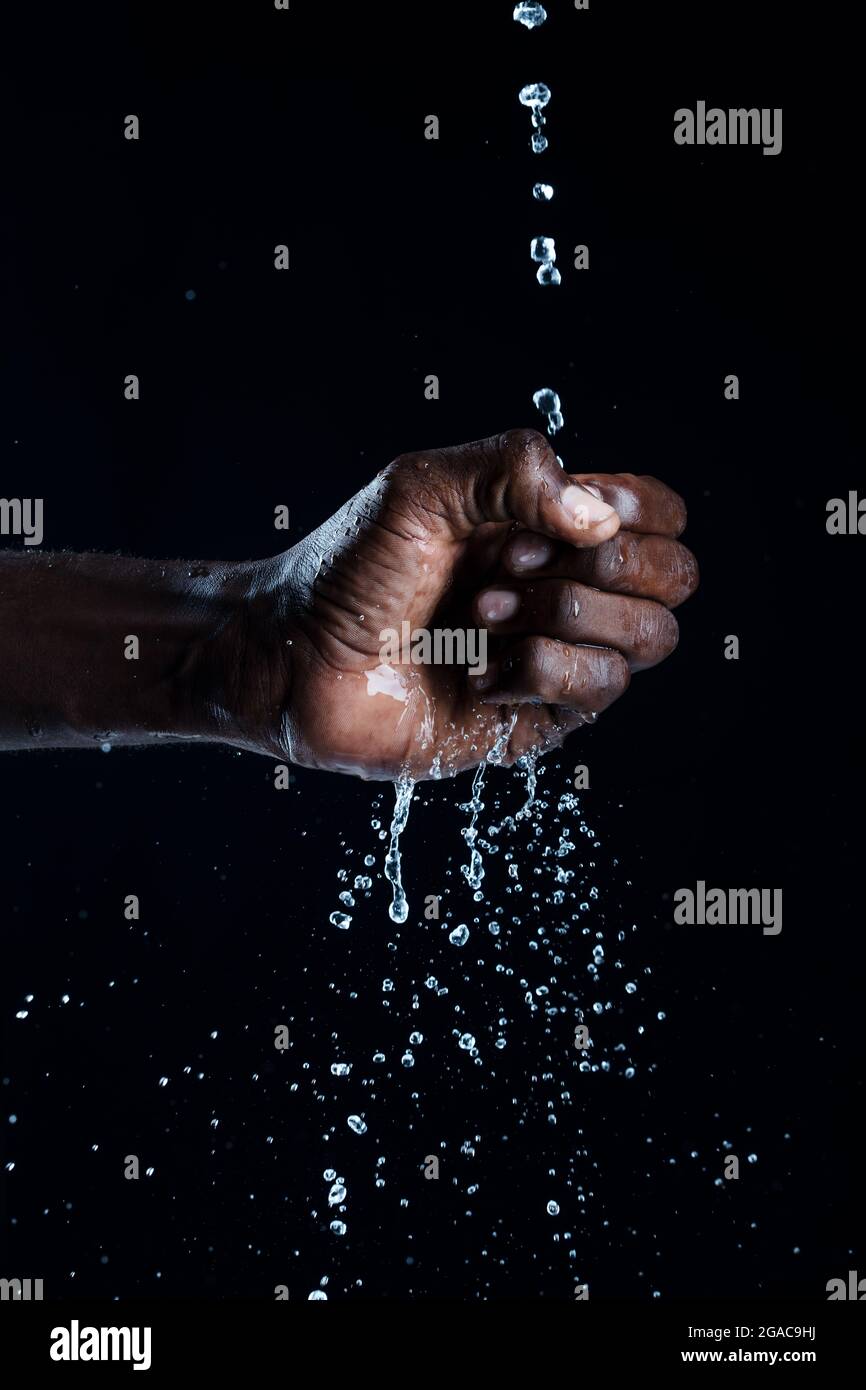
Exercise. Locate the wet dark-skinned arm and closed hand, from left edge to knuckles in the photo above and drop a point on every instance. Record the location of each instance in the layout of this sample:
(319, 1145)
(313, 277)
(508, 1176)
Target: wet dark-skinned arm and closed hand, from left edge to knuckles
(575, 578)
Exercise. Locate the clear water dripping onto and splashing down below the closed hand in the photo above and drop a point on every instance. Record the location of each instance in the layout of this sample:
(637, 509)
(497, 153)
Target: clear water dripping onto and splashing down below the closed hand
(553, 956)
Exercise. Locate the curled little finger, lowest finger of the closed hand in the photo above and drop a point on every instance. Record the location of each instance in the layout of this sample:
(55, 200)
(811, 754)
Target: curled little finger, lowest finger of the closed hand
(541, 671)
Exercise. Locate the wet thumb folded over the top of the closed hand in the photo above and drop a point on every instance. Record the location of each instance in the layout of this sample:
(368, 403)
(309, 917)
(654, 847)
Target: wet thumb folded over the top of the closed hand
(509, 477)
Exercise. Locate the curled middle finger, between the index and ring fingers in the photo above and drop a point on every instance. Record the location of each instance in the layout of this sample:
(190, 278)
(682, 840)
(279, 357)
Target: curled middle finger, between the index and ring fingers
(644, 566)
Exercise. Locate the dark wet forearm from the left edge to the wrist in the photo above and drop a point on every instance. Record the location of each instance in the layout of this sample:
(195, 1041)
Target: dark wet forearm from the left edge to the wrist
(98, 648)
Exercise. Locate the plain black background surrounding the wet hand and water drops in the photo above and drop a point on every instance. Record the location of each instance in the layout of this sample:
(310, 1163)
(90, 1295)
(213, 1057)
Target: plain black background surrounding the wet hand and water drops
(412, 258)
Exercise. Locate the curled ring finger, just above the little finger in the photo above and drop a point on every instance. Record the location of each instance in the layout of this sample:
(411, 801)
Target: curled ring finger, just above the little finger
(646, 633)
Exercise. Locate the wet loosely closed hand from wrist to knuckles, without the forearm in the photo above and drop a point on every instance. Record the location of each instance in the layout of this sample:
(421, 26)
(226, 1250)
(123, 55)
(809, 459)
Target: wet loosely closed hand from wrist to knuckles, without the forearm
(573, 578)
